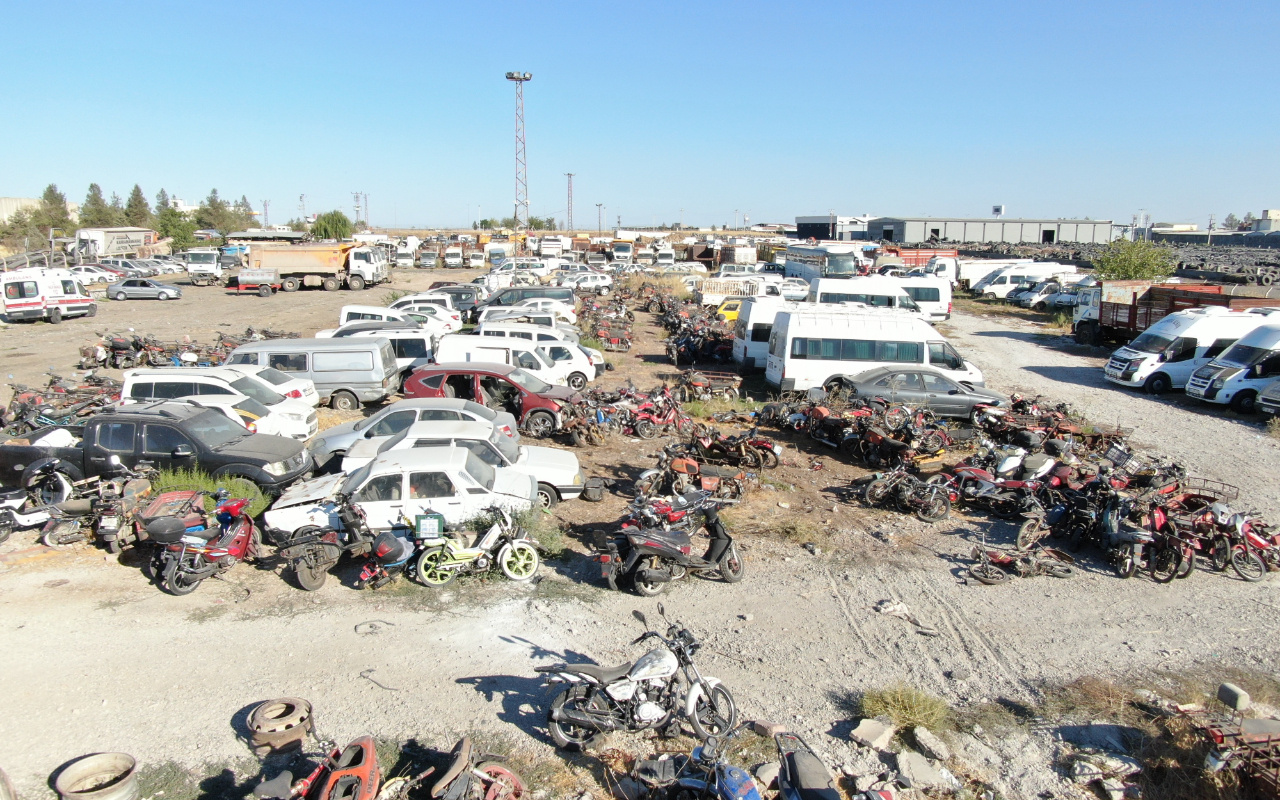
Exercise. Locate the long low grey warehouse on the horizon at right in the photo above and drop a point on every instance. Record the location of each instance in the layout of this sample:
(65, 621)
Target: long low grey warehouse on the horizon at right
(917, 230)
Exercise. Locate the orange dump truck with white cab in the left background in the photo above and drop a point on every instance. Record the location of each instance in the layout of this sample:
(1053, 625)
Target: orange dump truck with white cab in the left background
(328, 266)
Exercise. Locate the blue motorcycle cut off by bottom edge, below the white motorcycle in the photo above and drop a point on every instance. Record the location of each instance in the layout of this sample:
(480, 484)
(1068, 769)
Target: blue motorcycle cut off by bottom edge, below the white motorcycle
(703, 774)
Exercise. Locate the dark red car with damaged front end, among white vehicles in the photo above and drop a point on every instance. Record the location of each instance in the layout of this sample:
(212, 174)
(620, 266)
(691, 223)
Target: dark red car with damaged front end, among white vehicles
(496, 386)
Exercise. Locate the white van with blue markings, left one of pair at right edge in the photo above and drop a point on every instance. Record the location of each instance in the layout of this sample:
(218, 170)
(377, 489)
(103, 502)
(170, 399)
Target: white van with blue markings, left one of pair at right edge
(1167, 355)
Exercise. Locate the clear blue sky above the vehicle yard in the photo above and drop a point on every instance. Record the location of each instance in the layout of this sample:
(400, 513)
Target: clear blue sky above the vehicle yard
(1054, 109)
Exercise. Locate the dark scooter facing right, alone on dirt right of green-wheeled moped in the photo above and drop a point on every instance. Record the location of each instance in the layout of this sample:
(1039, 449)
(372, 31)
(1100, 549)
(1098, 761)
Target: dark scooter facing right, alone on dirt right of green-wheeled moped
(650, 559)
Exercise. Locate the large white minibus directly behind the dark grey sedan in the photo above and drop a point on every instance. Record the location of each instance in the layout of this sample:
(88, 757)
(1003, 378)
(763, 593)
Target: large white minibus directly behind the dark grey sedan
(820, 349)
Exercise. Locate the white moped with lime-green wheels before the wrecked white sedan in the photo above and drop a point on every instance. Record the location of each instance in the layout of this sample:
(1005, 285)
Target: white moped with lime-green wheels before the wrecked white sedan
(445, 557)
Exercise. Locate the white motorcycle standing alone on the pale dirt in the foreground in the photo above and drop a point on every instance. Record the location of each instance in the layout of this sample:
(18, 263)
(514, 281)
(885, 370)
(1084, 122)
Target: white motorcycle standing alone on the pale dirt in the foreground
(650, 693)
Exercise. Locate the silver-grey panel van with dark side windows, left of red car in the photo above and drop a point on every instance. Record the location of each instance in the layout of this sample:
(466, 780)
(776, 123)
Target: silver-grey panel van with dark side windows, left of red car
(346, 372)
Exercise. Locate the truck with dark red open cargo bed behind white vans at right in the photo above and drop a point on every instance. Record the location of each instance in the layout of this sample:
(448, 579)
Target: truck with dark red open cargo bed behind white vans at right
(1121, 310)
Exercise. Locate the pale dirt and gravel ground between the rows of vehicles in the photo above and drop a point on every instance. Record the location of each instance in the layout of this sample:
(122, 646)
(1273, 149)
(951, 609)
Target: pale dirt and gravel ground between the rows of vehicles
(95, 659)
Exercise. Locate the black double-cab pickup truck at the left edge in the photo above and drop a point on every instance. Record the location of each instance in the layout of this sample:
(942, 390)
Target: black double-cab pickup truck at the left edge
(170, 436)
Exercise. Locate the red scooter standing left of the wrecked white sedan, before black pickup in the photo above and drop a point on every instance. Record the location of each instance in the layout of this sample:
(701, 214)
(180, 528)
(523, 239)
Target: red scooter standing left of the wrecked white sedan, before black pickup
(188, 555)
